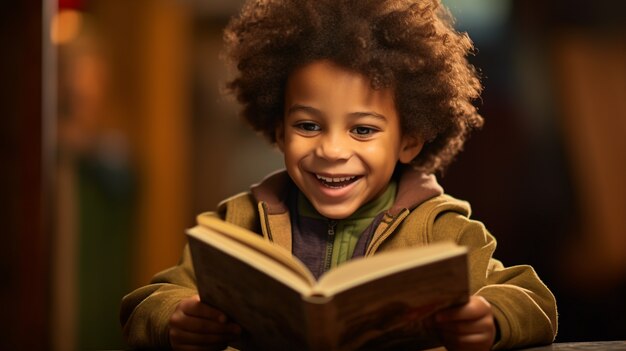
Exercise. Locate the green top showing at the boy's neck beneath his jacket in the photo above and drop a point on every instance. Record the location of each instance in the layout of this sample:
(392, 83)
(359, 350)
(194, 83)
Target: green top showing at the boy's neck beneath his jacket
(349, 230)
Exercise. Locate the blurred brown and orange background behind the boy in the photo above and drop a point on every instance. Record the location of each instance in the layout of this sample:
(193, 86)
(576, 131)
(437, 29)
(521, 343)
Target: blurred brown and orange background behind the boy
(115, 134)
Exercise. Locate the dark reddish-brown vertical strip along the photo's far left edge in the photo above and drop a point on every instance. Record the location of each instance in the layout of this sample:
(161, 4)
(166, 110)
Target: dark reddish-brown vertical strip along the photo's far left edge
(23, 253)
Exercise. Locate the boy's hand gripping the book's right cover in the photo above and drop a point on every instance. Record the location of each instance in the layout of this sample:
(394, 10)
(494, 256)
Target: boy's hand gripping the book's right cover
(467, 327)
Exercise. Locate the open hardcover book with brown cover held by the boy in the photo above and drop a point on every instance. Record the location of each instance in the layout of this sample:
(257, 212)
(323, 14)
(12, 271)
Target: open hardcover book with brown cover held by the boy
(379, 302)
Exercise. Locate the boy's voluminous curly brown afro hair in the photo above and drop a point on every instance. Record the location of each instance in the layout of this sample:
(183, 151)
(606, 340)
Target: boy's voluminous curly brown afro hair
(407, 45)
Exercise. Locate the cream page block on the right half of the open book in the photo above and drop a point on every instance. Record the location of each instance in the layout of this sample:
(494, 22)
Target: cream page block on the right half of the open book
(362, 270)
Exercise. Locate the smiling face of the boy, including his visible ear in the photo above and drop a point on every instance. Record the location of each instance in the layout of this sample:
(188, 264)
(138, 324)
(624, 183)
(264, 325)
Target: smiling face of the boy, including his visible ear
(341, 139)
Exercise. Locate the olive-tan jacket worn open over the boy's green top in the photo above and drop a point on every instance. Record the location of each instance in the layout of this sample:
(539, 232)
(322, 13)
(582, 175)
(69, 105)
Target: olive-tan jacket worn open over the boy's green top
(524, 308)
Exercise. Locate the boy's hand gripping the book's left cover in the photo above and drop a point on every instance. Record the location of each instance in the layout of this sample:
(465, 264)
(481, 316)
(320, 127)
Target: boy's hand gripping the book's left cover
(197, 326)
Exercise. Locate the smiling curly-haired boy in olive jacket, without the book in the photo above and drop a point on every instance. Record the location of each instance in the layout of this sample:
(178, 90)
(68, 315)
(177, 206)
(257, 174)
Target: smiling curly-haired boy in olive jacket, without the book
(366, 99)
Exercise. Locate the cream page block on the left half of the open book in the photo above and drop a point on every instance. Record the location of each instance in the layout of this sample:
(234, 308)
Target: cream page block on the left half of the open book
(256, 243)
